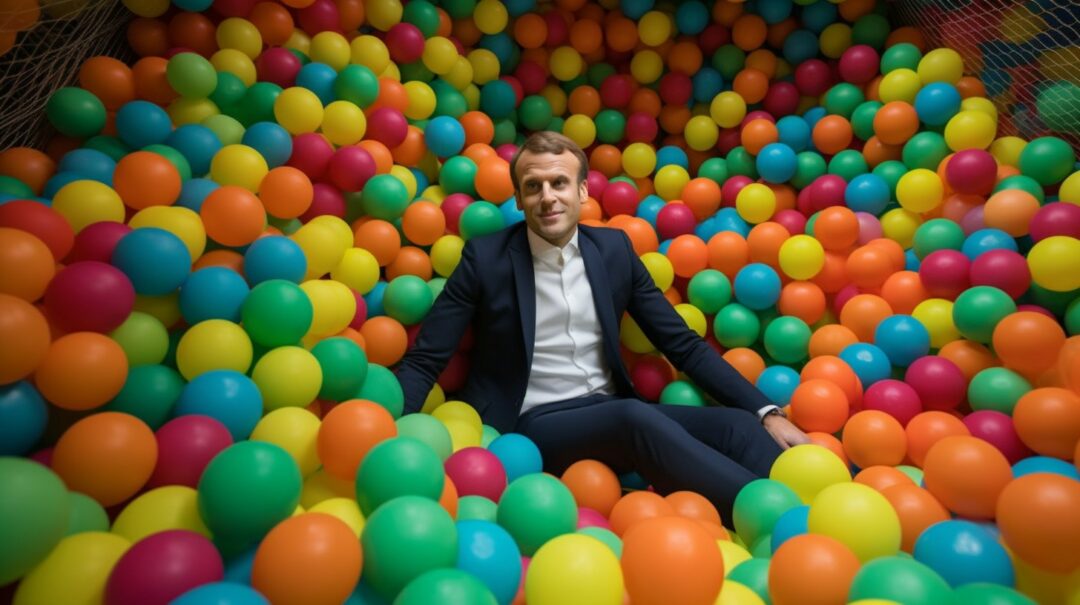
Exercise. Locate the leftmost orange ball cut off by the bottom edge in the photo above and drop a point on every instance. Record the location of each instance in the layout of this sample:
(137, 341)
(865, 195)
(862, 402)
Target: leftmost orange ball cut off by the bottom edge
(312, 558)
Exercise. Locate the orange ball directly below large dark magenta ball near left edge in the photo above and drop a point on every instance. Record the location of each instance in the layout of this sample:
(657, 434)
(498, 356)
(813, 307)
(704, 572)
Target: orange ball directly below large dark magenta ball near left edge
(83, 371)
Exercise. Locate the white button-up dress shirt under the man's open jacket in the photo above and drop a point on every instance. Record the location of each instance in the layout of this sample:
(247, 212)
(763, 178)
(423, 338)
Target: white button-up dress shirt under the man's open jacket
(569, 357)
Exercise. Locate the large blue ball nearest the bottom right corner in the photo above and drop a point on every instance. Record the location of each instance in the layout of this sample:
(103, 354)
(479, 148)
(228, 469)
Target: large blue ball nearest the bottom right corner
(963, 553)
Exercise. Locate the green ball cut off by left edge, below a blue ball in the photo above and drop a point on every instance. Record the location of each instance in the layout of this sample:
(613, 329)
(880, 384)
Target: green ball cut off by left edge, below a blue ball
(35, 507)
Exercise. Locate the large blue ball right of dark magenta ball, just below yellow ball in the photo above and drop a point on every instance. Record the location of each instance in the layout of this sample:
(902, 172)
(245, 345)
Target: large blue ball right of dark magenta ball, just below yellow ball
(156, 261)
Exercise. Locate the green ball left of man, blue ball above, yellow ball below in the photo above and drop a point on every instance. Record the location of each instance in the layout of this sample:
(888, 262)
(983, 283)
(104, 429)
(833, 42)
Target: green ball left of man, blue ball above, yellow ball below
(277, 313)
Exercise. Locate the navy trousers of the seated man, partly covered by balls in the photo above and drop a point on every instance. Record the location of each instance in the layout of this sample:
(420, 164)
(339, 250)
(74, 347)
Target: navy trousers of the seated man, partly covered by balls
(712, 451)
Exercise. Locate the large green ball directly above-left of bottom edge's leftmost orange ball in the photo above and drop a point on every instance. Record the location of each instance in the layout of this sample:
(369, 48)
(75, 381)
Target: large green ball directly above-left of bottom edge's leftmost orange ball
(247, 490)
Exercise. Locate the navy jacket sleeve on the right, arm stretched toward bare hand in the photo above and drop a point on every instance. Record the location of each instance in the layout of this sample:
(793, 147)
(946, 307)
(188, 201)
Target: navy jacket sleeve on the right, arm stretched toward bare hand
(667, 330)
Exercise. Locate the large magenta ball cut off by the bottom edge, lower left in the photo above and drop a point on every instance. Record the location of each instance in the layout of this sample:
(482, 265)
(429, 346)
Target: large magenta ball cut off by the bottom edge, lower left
(163, 567)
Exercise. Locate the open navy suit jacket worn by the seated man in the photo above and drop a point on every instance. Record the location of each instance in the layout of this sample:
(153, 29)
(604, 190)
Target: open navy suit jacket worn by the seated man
(494, 290)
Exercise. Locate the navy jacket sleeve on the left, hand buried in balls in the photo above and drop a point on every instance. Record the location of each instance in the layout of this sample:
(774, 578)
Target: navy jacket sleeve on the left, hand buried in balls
(441, 332)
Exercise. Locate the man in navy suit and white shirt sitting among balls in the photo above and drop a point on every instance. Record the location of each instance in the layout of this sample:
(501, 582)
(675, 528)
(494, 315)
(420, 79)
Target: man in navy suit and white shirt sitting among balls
(545, 301)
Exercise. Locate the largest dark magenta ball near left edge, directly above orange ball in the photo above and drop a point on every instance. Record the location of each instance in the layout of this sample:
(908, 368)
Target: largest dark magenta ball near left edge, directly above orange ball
(90, 297)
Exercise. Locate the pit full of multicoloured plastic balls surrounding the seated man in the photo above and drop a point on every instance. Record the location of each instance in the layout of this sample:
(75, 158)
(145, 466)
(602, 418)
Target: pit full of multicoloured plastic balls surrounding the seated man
(229, 246)
